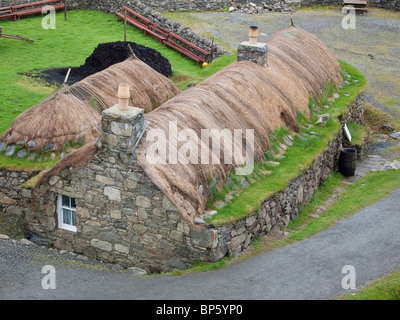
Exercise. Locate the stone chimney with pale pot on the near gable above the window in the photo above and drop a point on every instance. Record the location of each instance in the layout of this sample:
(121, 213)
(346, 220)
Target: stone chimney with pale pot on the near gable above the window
(122, 128)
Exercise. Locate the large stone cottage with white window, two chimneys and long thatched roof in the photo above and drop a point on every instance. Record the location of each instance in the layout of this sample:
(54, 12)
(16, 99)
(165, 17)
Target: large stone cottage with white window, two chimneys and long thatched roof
(109, 202)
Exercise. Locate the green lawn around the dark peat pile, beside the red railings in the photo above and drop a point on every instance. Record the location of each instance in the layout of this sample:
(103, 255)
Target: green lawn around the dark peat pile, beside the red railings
(68, 46)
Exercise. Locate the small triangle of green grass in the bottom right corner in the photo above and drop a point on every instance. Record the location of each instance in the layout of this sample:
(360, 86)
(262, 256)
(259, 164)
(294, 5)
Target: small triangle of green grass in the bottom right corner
(386, 288)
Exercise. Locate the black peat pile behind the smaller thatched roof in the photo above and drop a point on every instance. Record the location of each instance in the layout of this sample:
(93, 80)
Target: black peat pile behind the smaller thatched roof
(105, 55)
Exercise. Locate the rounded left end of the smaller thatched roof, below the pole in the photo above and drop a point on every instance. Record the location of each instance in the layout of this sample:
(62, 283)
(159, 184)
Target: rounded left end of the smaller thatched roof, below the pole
(60, 118)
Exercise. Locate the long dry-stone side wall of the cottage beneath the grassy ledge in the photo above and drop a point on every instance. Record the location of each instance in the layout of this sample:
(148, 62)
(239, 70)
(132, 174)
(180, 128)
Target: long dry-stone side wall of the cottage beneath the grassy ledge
(276, 211)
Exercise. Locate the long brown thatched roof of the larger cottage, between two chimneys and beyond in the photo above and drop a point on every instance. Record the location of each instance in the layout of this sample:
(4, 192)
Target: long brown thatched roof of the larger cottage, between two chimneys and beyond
(241, 96)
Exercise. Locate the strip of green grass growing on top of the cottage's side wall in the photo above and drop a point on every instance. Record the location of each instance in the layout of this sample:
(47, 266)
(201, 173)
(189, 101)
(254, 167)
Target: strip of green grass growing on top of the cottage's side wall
(297, 158)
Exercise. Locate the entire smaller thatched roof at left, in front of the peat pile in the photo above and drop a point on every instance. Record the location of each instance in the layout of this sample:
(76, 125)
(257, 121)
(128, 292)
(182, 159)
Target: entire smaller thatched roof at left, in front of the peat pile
(74, 112)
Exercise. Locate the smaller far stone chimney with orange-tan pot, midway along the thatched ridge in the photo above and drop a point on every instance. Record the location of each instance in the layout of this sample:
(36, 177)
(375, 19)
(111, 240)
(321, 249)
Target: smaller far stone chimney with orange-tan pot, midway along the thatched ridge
(253, 50)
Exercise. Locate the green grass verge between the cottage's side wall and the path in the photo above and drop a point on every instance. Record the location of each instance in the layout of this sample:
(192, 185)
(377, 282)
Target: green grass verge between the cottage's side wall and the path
(353, 198)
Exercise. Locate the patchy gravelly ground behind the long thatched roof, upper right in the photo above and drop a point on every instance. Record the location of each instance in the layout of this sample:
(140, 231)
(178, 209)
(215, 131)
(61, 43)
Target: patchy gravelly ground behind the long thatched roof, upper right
(373, 47)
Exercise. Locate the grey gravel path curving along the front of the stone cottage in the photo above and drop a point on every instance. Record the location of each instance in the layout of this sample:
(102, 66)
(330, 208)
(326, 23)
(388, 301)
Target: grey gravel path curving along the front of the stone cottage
(310, 269)
